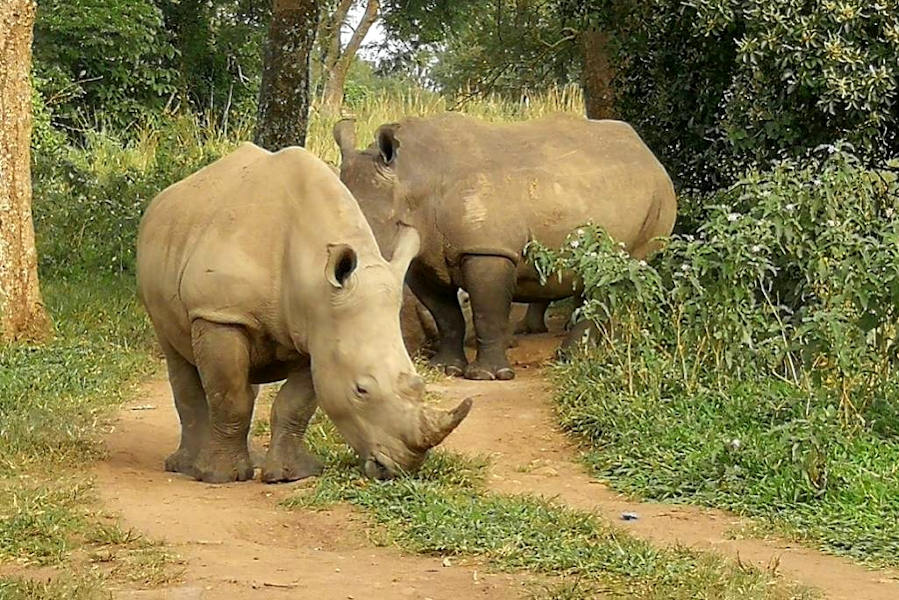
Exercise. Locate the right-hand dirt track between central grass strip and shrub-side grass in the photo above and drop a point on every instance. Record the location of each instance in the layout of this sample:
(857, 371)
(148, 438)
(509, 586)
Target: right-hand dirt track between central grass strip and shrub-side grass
(512, 422)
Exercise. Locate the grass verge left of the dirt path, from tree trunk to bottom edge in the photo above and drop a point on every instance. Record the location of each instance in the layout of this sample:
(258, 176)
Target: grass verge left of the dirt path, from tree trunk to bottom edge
(55, 400)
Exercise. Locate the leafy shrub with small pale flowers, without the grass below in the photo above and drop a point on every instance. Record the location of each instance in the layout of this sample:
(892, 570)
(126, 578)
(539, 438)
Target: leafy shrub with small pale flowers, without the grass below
(794, 271)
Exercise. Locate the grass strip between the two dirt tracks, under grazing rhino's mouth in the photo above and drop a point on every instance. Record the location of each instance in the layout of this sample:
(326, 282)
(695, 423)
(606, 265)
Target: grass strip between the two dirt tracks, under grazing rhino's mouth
(446, 510)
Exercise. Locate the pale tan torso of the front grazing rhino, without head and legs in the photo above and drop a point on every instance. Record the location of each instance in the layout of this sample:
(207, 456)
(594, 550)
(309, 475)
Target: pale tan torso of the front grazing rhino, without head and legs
(223, 243)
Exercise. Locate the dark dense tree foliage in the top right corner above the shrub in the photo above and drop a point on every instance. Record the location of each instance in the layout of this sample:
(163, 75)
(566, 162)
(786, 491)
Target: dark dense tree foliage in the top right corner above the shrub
(711, 83)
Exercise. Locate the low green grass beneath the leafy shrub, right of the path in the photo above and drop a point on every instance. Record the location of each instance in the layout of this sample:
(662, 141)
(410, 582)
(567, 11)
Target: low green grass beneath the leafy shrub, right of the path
(794, 464)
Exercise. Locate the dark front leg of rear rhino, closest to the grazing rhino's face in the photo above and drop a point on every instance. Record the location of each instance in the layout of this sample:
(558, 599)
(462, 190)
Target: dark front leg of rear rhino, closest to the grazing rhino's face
(443, 304)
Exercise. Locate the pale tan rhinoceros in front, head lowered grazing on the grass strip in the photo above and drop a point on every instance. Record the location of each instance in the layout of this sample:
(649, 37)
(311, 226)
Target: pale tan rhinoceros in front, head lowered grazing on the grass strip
(261, 267)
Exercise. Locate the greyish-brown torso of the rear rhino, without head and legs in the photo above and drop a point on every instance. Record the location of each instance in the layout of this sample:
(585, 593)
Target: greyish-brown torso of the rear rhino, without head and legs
(493, 187)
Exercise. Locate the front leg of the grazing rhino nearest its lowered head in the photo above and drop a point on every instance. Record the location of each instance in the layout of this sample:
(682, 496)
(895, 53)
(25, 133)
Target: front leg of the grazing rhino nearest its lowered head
(287, 458)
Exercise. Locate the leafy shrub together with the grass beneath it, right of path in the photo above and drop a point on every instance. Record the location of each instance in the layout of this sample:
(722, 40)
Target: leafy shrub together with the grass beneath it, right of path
(753, 366)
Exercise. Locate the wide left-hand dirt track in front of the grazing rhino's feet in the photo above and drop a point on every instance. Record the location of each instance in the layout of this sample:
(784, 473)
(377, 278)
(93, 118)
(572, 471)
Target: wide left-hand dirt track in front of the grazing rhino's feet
(237, 543)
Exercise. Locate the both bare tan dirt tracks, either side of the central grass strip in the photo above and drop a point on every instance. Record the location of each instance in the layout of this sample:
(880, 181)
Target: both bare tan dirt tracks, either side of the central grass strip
(238, 543)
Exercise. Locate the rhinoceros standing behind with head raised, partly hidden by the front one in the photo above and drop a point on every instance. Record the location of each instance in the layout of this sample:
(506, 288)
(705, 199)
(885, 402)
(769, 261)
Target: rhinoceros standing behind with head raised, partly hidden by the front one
(479, 192)
